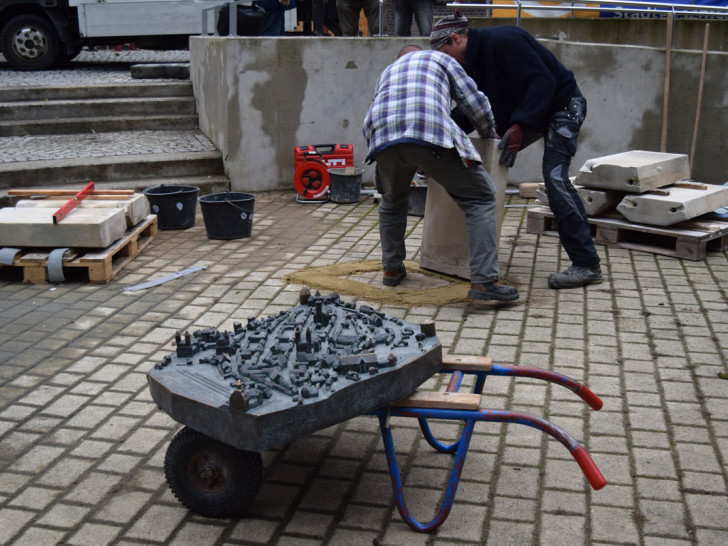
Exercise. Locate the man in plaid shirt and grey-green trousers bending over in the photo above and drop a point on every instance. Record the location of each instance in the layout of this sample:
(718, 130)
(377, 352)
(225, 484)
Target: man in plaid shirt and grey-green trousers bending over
(408, 127)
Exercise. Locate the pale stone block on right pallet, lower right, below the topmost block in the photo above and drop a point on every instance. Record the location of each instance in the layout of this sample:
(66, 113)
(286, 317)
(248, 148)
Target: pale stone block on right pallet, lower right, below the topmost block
(674, 204)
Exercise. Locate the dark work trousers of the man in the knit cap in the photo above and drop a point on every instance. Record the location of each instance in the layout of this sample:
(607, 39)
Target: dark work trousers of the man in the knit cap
(565, 203)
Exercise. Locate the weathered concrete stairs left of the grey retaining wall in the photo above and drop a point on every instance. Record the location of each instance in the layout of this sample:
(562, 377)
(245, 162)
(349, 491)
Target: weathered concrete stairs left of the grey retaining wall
(120, 136)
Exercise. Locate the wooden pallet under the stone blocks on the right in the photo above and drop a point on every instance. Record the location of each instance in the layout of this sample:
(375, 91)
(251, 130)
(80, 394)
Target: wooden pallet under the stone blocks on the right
(690, 240)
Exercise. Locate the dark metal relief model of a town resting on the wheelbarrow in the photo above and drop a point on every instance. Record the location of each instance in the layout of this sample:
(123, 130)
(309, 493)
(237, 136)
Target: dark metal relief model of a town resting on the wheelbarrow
(286, 376)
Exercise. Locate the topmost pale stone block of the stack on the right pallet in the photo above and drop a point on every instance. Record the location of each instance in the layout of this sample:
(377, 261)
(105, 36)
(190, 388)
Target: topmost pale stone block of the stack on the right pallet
(634, 172)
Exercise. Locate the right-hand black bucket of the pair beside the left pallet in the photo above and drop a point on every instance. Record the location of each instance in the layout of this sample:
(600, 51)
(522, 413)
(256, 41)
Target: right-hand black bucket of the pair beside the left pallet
(228, 215)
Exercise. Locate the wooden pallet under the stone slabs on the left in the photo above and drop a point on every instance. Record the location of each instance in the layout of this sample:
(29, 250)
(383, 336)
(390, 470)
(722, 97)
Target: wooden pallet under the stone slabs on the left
(100, 266)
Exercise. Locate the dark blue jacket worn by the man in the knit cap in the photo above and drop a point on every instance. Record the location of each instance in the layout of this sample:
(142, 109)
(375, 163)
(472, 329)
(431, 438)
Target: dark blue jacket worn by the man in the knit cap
(523, 80)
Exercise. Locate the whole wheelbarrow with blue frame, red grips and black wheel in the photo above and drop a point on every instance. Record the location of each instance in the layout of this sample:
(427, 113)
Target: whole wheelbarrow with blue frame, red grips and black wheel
(215, 479)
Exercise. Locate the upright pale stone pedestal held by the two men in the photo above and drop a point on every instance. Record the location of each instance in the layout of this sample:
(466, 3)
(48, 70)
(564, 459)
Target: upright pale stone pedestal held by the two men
(444, 238)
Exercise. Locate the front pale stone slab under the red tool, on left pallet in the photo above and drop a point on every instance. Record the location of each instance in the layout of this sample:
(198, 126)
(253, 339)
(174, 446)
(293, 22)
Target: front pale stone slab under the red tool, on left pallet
(83, 227)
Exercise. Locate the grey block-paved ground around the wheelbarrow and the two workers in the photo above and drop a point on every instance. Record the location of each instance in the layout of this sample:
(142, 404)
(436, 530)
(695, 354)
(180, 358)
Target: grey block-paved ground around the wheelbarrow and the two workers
(82, 444)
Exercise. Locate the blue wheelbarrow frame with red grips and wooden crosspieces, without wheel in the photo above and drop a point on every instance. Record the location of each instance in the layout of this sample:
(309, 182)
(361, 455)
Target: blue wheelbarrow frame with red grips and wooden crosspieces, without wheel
(453, 405)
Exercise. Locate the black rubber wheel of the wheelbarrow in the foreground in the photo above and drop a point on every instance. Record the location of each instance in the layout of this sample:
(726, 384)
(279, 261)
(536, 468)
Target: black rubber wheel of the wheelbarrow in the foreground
(211, 478)
